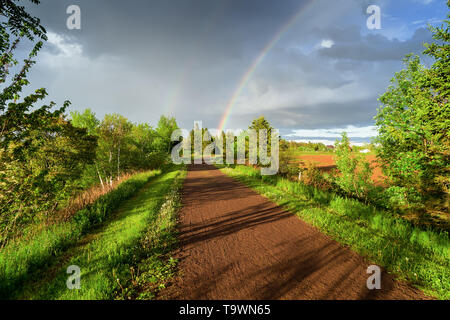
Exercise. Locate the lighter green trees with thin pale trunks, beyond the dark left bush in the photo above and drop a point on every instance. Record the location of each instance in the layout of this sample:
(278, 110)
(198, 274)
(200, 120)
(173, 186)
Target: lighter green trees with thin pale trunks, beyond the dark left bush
(124, 146)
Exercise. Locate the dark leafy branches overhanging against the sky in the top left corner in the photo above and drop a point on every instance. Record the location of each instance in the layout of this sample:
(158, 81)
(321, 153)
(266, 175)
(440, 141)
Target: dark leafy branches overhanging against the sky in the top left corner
(16, 119)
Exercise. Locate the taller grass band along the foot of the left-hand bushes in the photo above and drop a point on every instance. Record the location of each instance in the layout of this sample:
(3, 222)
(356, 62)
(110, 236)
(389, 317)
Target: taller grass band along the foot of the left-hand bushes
(22, 259)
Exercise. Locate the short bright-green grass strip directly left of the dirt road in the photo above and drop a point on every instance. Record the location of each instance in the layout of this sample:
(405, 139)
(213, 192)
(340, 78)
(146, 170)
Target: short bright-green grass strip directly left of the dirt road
(106, 256)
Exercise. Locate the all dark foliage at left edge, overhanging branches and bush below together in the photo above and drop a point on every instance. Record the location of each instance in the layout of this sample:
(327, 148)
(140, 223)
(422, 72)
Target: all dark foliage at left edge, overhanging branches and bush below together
(41, 154)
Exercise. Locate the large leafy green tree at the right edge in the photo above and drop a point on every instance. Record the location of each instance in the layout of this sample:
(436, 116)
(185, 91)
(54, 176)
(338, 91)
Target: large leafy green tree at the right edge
(414, 121)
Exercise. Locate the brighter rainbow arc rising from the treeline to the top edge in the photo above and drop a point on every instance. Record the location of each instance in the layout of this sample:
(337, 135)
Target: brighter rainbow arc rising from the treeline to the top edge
(247, 75)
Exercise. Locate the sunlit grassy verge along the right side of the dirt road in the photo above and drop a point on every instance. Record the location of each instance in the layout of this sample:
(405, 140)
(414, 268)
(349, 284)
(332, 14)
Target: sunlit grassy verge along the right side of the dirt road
(418, 256)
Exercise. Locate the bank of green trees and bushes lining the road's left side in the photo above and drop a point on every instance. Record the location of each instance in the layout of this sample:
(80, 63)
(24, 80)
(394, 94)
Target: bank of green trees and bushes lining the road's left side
(54, 159)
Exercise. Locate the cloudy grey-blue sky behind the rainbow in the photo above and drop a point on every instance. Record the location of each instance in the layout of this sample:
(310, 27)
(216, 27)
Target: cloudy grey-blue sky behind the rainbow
(321, 72)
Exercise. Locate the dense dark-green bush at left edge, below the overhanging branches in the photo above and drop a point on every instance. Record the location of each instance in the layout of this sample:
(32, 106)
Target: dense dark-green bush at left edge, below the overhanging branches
(45, 173)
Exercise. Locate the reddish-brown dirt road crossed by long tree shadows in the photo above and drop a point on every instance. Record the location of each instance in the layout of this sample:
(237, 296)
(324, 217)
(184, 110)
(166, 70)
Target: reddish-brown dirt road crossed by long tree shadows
(236, 244)
